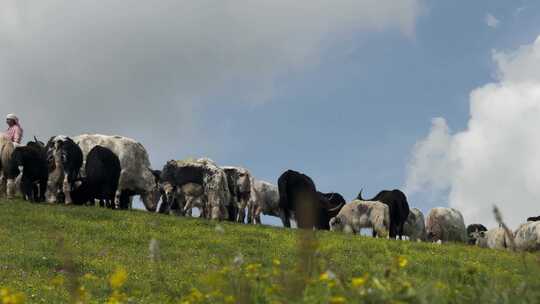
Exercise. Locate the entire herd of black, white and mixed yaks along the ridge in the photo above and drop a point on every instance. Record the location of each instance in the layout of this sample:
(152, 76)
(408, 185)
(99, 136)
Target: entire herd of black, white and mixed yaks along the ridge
(110, 170)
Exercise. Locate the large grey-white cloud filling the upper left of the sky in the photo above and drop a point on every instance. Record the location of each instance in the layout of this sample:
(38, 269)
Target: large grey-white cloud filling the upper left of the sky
(143, 68)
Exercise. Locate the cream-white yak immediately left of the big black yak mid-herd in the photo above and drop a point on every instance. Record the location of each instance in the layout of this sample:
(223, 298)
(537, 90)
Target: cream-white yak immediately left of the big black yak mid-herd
(264, 200)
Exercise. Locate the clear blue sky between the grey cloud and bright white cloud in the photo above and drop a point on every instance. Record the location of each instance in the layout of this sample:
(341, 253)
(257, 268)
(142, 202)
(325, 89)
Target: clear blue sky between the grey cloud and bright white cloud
(352, 121)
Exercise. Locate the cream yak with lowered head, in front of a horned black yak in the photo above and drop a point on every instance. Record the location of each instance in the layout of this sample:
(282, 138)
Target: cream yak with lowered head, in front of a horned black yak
(363, 214)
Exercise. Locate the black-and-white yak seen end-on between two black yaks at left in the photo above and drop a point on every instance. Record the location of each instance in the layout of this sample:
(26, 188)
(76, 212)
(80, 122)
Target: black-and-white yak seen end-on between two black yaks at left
(65, 159)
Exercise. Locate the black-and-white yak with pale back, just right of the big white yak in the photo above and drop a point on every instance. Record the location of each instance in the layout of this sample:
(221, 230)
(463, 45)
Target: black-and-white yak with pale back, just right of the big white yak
(183, 181)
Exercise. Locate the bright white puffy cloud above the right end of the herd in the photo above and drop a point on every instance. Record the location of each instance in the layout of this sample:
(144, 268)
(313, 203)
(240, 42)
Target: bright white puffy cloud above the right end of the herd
(496, 159)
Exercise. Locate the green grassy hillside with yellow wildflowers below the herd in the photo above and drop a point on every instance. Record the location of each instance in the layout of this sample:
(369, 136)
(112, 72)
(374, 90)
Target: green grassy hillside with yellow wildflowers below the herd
(59, 254)
